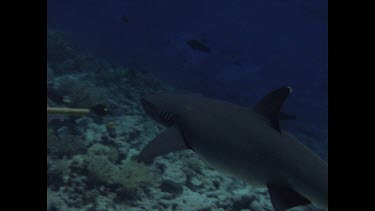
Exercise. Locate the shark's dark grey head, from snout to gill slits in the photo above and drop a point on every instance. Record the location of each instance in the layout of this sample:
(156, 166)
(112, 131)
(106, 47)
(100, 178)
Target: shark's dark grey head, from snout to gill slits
(160, 108)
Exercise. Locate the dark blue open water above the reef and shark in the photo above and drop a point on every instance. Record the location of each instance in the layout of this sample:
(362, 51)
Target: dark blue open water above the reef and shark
(277, 42)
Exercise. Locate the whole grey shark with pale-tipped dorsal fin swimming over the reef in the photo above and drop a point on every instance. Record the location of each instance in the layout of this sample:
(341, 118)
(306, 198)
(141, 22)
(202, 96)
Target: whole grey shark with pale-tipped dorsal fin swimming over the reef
(244, 142)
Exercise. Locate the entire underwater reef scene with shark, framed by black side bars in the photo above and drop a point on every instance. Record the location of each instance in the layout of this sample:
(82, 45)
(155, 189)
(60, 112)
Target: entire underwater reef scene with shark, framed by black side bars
(199, 105)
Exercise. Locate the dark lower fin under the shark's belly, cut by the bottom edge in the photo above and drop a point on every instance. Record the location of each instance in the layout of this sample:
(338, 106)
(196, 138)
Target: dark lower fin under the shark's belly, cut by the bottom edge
(283, 197)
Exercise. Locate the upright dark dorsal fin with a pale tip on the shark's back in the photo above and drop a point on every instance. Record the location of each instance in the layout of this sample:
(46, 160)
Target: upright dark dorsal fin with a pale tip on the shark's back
(269, 106)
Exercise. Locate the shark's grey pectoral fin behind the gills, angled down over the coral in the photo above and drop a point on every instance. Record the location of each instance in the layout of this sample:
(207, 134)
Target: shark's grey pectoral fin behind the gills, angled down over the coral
(169, 140)
